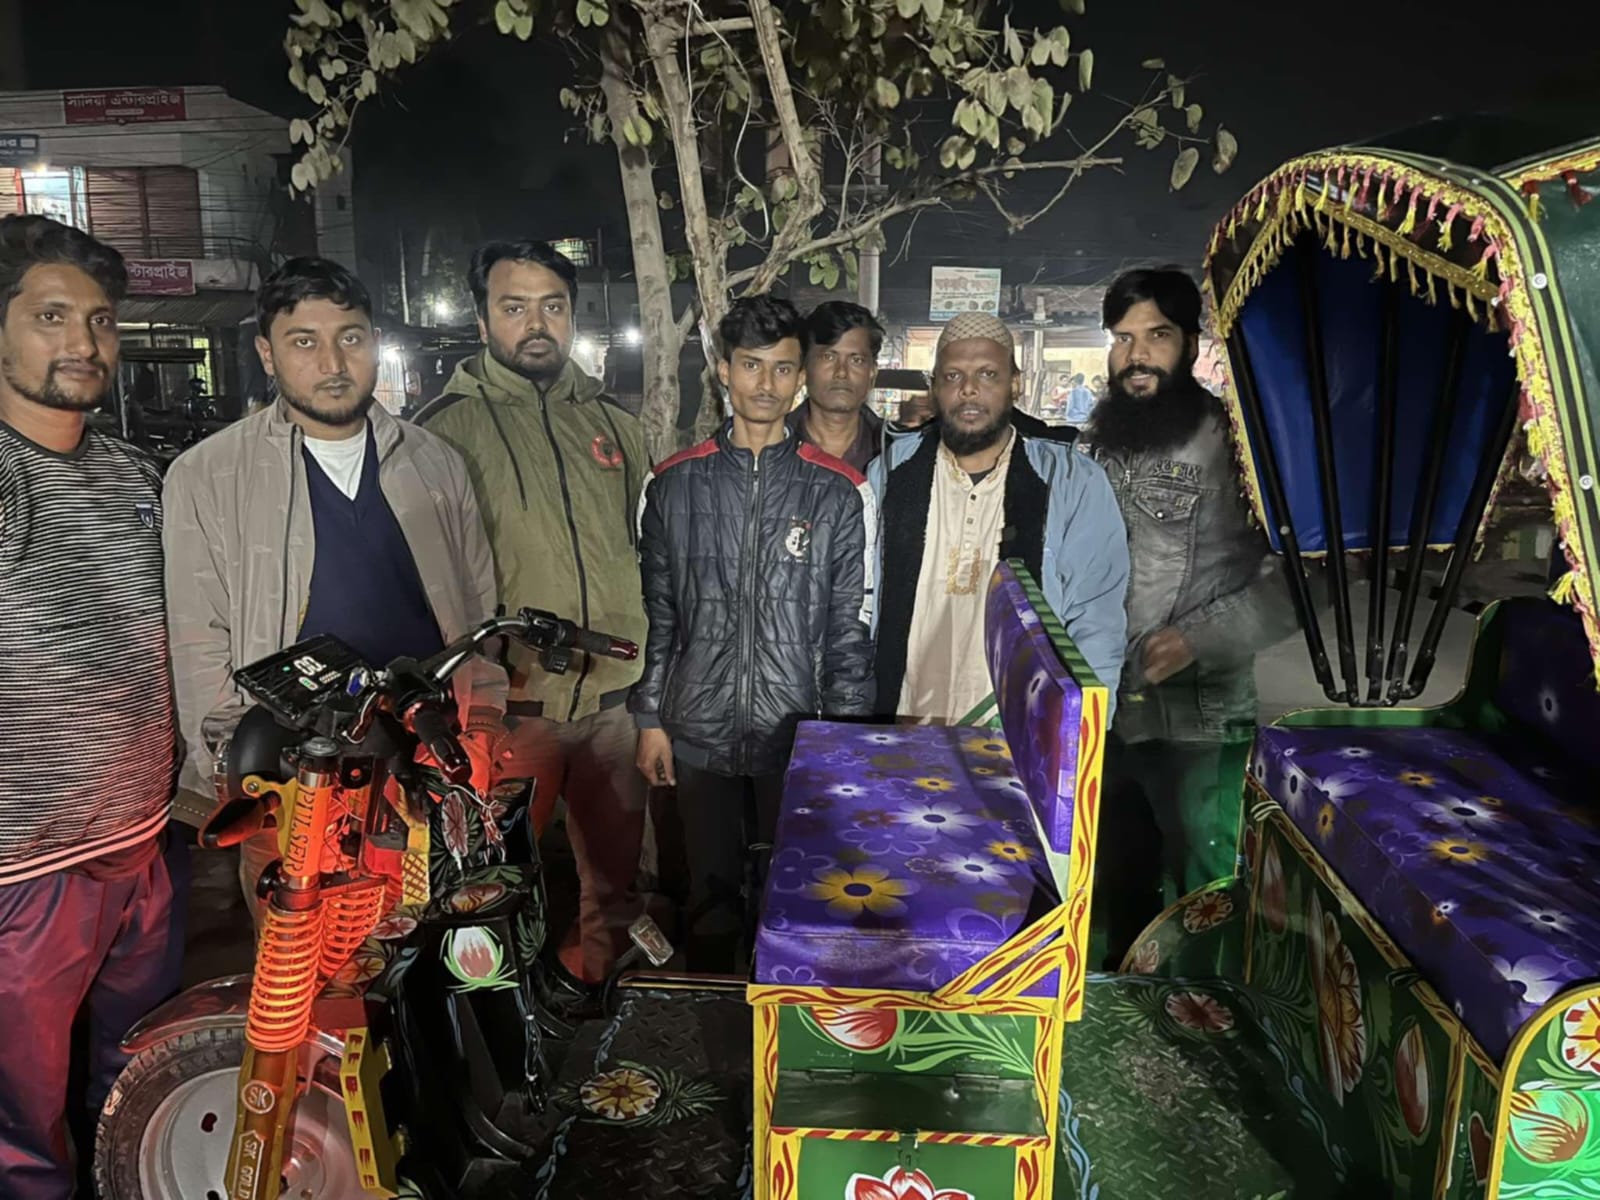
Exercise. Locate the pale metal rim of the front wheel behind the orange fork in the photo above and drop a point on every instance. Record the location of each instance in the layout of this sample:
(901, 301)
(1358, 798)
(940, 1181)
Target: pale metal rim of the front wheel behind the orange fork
(183, 1154)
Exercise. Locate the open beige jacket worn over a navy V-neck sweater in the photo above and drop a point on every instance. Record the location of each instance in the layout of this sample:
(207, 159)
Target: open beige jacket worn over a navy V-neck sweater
(241, 553)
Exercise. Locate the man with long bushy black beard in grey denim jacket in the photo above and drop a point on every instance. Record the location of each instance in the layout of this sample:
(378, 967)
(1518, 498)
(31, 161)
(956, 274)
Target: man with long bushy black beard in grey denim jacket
(1204, 601)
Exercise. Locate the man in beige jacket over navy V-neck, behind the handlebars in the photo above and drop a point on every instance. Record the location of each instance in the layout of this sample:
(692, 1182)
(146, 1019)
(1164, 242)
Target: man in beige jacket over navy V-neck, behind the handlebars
(321, 514)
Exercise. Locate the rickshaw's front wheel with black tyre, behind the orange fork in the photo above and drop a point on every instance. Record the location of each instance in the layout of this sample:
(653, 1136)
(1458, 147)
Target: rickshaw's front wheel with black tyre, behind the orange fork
(169, 1126)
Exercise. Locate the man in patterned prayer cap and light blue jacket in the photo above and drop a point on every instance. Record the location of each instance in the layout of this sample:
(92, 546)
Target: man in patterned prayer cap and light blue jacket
(966, 494)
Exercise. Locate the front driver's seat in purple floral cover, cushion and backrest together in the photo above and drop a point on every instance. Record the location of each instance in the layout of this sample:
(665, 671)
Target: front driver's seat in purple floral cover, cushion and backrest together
(906, 855)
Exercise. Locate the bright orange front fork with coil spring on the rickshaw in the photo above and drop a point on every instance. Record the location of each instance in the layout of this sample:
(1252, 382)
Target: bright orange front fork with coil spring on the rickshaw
(286, 983)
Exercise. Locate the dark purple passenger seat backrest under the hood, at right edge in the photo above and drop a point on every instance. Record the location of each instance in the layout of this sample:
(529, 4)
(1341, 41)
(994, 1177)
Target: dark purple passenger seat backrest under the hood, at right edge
(1546, 681)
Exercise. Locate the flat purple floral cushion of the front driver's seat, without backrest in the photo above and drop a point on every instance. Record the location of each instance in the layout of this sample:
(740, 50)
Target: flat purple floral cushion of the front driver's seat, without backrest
(905, 857)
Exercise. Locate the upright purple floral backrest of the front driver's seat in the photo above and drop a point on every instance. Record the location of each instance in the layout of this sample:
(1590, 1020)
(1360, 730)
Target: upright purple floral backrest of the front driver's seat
(1039, 700)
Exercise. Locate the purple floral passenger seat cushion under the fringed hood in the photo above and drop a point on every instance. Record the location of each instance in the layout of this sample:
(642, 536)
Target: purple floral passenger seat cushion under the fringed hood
(1478, 855)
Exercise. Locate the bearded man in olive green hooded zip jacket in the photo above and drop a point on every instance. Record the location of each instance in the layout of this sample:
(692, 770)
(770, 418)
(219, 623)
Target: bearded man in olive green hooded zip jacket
(558, 468)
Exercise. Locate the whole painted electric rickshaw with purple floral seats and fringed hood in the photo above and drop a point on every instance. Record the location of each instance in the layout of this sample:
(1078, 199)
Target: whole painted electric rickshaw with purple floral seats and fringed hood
(1396, 993)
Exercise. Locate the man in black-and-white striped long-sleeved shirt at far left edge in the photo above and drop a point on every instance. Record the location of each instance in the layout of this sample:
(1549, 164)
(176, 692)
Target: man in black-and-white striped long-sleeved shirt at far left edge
(87, 740)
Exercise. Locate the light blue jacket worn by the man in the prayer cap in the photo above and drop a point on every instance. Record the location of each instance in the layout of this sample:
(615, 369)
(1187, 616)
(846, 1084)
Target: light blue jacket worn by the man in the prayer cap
(1082, 545)
